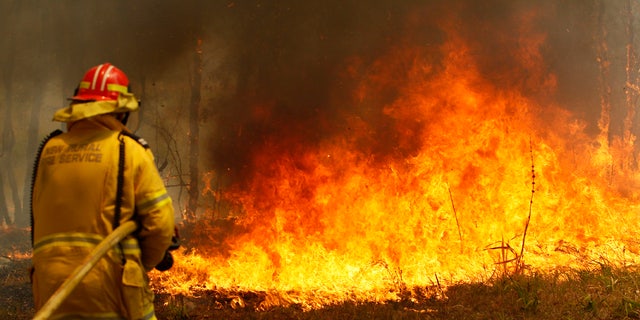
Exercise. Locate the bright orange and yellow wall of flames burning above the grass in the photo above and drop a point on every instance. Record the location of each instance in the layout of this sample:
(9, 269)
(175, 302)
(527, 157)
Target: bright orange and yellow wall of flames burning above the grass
(480, 178)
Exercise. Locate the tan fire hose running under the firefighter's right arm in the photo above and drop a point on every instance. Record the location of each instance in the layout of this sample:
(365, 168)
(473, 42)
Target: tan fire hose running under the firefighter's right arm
(82, 270)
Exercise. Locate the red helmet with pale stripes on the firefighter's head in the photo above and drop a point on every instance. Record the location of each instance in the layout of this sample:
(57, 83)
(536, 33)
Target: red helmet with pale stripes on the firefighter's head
(103, 82)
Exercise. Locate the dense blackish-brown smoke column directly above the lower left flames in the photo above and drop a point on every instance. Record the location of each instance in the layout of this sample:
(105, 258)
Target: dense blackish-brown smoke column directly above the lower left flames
(295, 81)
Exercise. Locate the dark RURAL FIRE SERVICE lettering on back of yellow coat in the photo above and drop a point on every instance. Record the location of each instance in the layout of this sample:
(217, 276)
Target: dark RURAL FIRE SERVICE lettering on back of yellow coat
(72, 154)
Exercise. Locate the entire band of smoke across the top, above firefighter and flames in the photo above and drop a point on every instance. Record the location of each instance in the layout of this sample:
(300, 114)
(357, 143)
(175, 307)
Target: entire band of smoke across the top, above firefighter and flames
(284, 78)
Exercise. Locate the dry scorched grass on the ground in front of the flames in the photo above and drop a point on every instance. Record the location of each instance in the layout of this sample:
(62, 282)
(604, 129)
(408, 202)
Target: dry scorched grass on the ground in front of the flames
(598, 291)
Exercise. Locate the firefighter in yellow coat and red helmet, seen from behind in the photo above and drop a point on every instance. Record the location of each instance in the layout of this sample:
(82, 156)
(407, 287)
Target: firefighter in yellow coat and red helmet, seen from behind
(86, 181)
